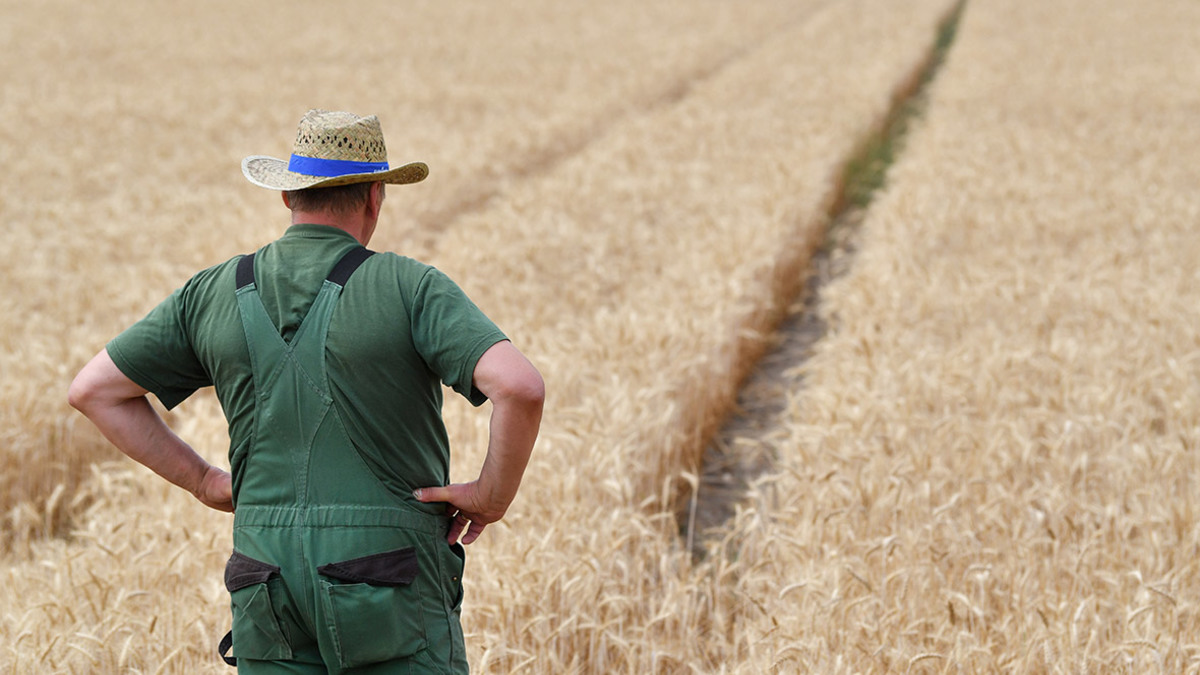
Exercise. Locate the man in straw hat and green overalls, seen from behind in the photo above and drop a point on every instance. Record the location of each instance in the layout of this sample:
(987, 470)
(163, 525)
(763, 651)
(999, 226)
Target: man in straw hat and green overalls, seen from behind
(329, 362)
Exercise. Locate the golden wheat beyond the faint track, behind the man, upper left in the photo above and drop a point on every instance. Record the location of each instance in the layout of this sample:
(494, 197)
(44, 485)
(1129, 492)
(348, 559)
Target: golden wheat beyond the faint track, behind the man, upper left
(128, 127)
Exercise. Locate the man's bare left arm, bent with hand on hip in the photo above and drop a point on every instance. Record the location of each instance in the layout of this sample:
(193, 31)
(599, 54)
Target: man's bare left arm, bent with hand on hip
(119, 408)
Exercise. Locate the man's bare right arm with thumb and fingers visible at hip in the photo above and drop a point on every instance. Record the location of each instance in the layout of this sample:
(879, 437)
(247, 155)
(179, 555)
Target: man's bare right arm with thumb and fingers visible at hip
(518, 393)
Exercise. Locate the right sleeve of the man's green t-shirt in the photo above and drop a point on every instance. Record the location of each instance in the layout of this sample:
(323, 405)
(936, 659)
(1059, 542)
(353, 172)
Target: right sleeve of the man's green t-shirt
(452, 333)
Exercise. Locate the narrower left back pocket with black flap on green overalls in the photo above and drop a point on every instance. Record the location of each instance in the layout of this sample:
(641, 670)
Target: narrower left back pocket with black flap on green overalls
(256, 630)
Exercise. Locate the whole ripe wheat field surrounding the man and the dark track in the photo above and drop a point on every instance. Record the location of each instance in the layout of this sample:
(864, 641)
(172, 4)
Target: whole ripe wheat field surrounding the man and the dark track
(986, 465)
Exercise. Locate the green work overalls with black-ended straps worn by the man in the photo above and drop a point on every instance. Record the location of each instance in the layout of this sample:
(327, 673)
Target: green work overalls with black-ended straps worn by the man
(331, 572)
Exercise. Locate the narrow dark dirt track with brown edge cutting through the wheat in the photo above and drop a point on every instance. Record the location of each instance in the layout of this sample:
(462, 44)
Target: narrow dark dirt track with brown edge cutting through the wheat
(745, 449)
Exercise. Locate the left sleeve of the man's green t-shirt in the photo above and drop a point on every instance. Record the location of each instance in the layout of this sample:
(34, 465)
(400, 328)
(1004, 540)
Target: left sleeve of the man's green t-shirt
(158, 355)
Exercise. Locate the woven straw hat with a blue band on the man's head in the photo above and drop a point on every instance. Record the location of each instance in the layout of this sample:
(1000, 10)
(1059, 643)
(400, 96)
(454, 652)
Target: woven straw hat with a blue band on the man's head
(332, 150)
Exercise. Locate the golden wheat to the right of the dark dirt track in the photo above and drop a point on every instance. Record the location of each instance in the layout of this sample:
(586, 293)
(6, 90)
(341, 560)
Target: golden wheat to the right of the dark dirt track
(993, 461)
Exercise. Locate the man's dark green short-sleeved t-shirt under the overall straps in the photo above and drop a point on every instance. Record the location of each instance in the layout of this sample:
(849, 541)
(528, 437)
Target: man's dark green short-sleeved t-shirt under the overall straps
(400, 330)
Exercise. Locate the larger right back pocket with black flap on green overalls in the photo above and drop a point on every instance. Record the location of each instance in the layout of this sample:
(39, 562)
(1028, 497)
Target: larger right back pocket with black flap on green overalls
(374, 608)
